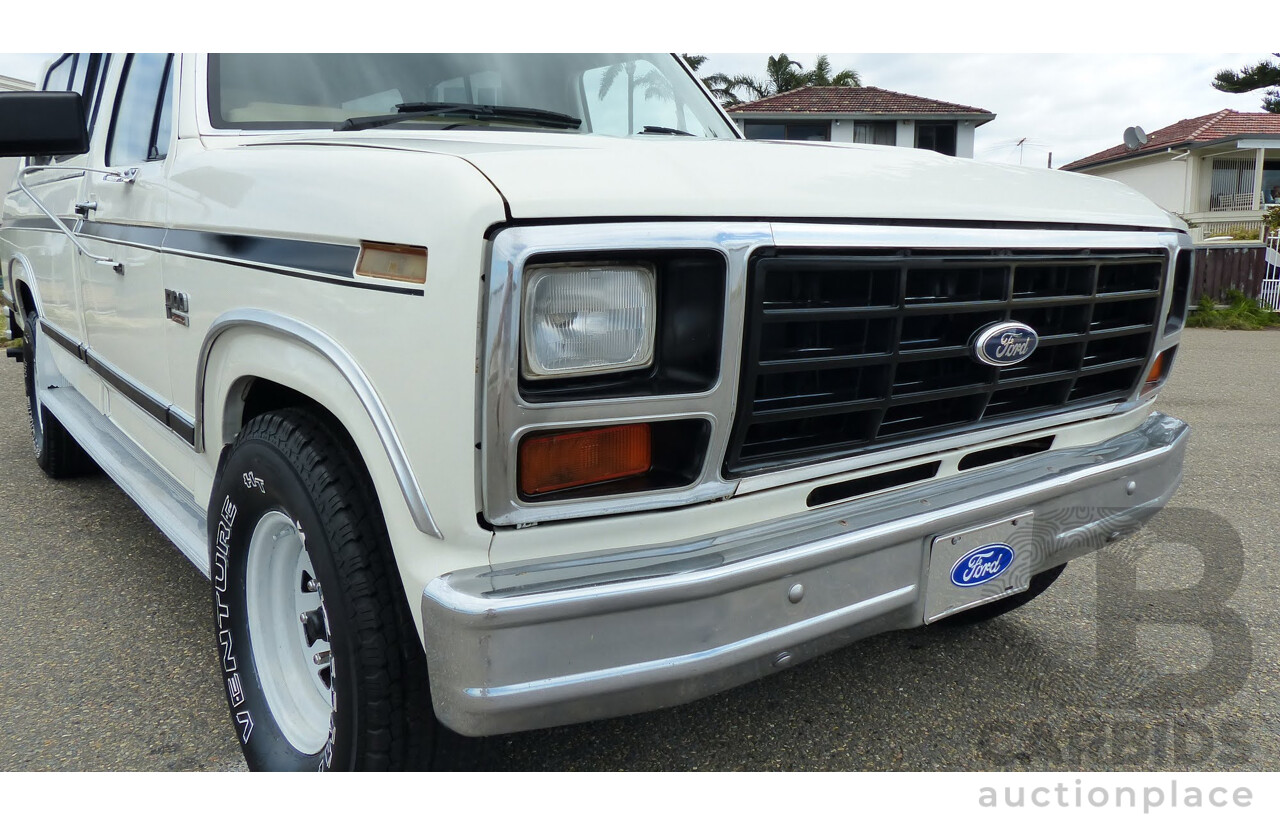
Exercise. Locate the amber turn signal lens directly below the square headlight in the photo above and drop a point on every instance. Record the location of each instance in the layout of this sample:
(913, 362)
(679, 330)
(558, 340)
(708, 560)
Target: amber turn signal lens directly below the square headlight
(559, 461)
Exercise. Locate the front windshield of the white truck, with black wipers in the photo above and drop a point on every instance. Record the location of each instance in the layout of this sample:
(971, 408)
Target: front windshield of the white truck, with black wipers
(606, 94)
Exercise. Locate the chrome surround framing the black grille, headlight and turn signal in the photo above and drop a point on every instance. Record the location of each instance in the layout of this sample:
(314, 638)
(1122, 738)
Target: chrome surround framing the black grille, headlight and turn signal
(504, 418)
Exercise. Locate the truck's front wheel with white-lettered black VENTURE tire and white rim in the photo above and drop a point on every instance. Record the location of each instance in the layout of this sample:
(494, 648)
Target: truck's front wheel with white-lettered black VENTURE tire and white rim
(291, 464)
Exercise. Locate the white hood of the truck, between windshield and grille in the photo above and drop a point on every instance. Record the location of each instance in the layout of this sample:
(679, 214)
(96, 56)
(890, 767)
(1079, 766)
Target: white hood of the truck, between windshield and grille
(552, 176)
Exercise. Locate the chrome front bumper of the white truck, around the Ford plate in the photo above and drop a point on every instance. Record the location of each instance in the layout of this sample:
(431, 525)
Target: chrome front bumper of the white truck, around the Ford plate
(575, 639)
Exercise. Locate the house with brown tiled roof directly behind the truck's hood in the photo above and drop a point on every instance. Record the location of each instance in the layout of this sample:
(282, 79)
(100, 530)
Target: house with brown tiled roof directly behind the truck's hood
(862, 114)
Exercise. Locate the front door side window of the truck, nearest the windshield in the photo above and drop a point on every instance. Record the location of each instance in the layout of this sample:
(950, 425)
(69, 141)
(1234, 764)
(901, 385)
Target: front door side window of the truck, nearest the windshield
(141, 125)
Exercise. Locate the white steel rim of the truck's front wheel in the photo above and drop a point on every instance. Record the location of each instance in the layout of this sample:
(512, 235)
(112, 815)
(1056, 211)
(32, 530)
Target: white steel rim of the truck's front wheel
(296, 675)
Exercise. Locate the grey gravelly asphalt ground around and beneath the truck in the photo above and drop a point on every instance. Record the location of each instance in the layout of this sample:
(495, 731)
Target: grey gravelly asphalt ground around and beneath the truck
(109, 662)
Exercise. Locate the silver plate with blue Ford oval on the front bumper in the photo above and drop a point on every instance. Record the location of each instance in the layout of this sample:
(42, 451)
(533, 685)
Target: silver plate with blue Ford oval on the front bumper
(980, 565)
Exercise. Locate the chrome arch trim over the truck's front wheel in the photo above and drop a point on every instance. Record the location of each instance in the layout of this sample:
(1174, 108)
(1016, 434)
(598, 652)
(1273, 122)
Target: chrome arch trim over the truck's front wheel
(328, 349)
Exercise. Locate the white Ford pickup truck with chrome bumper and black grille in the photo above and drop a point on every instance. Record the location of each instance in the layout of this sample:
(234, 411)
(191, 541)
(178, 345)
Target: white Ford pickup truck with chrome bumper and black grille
(509, 392)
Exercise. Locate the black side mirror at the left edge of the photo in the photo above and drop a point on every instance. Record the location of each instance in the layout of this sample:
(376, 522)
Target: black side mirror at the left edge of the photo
(43, 123)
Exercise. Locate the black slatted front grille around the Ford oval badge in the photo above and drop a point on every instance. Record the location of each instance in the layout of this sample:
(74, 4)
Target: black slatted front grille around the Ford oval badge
(852, 354)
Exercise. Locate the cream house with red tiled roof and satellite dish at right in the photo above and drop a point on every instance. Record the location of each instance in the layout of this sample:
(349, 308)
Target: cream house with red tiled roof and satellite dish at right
(1220, 172)
